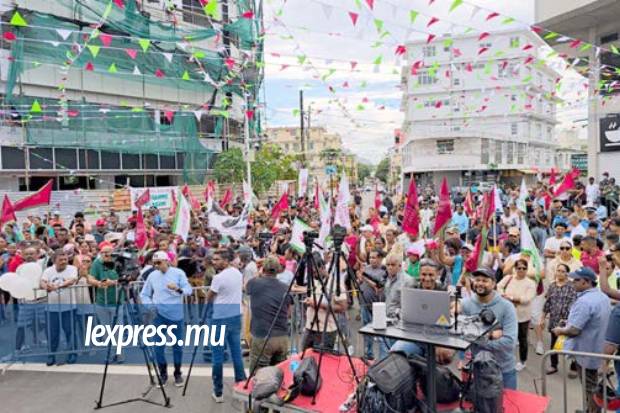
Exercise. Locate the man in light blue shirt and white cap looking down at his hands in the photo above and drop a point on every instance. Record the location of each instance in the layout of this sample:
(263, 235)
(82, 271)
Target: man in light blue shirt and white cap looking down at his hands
(164, 289)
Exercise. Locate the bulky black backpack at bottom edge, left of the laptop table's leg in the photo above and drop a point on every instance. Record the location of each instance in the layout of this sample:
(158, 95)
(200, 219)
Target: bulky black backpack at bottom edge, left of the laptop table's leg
(390, 386)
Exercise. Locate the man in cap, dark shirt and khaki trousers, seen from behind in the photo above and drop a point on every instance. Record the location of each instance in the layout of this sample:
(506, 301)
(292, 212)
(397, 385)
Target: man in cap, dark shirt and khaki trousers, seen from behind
(267, 296)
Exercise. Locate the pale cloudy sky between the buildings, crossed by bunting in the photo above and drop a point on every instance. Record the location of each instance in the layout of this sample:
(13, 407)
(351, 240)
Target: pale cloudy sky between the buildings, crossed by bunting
(312, 45)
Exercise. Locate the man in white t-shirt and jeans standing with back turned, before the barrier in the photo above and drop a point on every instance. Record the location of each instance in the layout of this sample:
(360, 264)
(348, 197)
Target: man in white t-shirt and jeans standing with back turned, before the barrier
(225, 295)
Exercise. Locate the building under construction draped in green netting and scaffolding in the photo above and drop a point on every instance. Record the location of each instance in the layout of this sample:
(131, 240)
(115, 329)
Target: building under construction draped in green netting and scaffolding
(140, 102)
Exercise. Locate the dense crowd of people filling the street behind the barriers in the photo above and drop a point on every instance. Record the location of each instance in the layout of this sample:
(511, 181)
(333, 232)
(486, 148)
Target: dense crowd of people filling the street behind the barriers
(570, 295)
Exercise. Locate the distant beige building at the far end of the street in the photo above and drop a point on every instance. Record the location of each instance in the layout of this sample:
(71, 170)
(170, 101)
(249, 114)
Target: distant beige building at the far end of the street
(321, 150)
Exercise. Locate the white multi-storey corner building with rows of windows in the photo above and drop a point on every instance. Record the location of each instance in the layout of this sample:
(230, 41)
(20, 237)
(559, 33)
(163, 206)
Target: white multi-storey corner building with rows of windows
(476, 110)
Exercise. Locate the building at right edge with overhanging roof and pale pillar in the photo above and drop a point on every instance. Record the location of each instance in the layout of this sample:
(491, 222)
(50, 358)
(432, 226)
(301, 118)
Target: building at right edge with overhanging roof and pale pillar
(593, 22)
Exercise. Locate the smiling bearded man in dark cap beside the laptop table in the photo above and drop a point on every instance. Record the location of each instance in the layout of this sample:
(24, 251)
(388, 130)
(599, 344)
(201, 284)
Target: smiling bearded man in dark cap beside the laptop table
(503, 340)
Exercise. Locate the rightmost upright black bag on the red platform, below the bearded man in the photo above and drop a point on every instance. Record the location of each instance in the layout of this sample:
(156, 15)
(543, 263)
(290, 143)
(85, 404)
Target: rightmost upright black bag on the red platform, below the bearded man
(486, 384)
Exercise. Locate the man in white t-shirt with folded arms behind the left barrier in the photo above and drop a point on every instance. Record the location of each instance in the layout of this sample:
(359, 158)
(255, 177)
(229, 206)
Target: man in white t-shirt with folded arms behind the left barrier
(60, 306)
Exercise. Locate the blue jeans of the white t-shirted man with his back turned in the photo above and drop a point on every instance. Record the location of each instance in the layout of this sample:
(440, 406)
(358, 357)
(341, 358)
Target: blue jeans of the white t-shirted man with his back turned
(232, 339)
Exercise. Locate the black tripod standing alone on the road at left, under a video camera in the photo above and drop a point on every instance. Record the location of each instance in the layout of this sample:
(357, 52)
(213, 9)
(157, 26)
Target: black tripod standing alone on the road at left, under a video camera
(122, 302)
